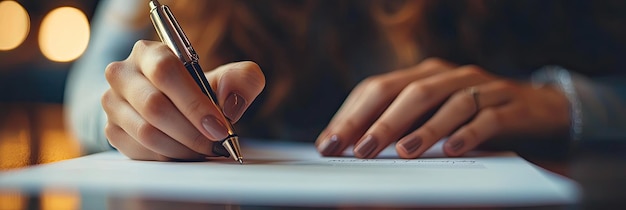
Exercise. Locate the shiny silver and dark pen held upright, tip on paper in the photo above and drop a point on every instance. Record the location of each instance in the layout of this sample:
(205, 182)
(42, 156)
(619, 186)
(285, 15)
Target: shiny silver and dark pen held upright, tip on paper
(172, 35)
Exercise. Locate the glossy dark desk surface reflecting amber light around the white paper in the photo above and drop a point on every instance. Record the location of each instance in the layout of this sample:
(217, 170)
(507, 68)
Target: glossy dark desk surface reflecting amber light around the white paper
(34, 133)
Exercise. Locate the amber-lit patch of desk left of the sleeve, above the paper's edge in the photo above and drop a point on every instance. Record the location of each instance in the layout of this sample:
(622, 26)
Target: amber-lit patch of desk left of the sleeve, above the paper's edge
(33, 134)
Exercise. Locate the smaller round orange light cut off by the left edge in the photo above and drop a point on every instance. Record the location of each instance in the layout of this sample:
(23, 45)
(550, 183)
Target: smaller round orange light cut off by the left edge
(15, 24)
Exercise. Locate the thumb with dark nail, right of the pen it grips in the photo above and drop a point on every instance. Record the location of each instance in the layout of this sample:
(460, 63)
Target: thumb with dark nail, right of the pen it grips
(236, 86)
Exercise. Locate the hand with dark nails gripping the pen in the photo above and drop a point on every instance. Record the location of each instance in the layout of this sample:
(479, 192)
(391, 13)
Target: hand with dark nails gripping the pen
(156, 111)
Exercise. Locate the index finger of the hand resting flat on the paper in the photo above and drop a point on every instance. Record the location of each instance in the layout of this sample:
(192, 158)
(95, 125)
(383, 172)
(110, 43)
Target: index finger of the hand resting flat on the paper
(367, 102)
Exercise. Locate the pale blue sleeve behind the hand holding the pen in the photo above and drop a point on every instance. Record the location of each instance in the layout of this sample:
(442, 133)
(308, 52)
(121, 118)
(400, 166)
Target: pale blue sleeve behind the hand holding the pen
(111, 39)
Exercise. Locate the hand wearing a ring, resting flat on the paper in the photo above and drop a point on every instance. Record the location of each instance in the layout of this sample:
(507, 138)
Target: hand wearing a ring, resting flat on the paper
(470, 107)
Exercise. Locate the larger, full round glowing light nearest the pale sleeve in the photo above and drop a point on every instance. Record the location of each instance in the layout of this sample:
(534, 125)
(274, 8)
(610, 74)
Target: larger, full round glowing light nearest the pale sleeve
(64, 34)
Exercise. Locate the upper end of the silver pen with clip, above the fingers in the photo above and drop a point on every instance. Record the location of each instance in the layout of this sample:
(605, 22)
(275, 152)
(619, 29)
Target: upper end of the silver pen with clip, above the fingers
(171, 33)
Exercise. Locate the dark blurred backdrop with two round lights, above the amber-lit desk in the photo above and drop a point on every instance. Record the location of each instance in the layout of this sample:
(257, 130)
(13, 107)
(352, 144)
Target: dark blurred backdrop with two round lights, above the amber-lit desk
(38, 42)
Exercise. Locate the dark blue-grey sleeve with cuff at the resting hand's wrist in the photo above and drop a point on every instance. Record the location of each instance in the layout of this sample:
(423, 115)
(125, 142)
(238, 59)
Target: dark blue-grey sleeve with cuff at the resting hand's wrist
(597, 105)
